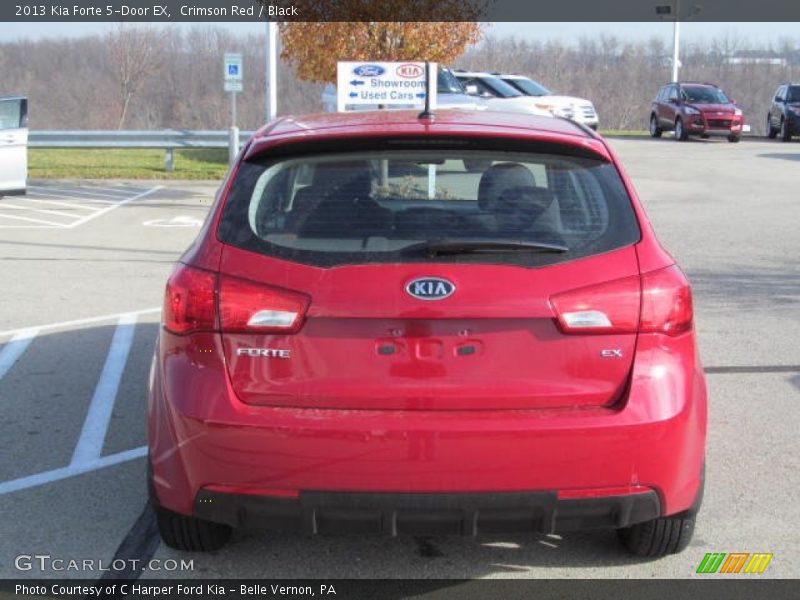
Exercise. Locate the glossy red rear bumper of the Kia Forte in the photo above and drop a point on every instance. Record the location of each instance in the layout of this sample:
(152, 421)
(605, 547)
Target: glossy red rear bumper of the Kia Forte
(202, 439)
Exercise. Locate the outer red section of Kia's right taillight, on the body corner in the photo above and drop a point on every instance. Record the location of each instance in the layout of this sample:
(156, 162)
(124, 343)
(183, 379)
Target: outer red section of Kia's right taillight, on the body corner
(666, 302)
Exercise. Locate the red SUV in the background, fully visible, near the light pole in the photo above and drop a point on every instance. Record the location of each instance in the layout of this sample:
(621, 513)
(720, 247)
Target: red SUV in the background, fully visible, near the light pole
(695, 109)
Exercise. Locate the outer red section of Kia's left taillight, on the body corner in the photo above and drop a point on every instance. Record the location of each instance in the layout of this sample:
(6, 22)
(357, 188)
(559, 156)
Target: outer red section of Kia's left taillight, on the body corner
(189, 303)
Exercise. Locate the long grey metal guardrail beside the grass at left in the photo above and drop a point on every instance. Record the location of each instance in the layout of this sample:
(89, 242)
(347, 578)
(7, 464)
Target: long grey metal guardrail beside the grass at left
(168, 139)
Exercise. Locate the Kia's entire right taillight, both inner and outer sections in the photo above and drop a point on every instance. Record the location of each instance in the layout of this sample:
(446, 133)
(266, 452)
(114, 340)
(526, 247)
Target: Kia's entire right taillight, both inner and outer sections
(658, 302)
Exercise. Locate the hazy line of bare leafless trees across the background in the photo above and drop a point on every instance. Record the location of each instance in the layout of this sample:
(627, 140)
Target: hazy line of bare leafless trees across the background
(169, 78)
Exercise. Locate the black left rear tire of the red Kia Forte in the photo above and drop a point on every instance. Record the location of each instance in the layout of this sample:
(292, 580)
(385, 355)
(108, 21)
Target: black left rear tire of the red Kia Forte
(182, 532)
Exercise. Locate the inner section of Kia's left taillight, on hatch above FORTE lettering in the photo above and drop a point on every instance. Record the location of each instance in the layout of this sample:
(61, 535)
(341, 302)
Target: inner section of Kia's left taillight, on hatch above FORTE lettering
(250, 307)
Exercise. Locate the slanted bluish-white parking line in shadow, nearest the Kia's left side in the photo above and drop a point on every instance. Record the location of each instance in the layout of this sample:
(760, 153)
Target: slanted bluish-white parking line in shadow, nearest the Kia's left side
(93, 435)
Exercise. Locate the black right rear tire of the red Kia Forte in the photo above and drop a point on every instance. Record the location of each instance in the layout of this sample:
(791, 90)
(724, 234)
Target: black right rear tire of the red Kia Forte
(659, 537)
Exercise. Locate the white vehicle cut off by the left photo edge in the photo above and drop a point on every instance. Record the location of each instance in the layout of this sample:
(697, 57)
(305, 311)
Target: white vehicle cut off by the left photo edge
(13, 145)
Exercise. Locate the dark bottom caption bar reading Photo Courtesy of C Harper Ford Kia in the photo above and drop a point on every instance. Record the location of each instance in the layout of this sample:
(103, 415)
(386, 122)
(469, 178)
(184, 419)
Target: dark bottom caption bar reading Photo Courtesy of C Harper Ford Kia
(744, 587)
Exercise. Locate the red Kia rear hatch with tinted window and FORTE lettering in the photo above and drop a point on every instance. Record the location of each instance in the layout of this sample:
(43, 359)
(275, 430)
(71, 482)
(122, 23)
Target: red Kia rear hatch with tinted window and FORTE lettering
(385, 327)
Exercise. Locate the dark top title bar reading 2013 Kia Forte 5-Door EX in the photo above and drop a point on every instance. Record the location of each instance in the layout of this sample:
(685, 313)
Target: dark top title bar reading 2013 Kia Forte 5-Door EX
(398, 10)
